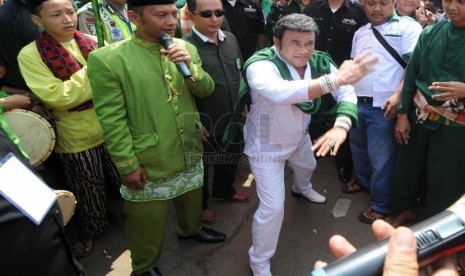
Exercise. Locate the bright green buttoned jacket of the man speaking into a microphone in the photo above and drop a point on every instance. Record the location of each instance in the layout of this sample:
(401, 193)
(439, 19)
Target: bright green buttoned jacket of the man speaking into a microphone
(142, 126)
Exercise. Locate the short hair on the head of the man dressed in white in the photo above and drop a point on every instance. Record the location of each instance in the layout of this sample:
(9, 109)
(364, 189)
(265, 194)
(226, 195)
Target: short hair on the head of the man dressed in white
(294, 22)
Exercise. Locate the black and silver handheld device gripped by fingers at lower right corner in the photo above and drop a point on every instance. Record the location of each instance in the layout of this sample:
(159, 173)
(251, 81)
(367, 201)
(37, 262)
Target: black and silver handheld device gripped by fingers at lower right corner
(440, 235)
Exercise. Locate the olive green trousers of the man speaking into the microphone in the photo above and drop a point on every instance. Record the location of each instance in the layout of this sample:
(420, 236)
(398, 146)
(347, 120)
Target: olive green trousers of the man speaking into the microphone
(145, 225)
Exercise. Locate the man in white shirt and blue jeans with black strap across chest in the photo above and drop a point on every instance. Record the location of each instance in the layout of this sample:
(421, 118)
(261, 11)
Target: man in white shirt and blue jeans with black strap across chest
(373, 144)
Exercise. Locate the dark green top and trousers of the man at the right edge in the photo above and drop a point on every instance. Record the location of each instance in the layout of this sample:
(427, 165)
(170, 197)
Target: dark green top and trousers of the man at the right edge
(429, 166)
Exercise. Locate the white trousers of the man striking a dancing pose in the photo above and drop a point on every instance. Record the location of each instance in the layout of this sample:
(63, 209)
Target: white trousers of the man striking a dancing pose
(269, 178)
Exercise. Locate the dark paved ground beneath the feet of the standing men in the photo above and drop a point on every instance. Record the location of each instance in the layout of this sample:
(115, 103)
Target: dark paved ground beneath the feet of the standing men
(304, 236)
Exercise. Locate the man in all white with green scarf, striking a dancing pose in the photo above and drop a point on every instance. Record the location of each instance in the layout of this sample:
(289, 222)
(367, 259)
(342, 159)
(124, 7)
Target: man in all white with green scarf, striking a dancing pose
(283, 82)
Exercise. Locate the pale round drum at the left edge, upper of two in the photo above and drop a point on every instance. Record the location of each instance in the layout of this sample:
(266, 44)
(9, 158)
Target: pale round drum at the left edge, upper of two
(36, 135)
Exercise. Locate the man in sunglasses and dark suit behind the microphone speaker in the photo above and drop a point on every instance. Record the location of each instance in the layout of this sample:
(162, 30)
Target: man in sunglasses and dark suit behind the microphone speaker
(221, 58)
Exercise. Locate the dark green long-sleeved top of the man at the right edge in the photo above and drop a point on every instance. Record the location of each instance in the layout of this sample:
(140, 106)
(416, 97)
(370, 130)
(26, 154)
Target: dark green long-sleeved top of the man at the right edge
(438, 56)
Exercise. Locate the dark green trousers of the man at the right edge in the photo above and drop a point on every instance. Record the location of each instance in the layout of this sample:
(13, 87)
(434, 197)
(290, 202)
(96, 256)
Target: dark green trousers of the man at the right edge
(429, 166)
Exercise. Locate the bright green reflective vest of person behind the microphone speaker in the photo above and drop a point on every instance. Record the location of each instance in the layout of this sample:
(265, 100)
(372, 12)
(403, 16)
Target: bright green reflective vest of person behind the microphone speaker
(114, 16)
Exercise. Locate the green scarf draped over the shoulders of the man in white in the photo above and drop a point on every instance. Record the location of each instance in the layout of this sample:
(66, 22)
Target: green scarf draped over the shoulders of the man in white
(320, 63)
